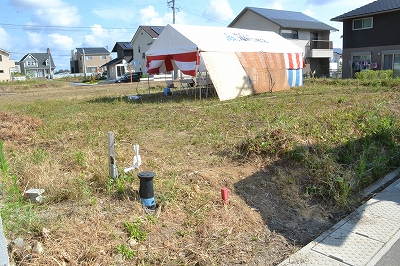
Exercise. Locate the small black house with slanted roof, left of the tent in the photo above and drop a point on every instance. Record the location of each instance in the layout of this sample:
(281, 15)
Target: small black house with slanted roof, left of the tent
(122, 64)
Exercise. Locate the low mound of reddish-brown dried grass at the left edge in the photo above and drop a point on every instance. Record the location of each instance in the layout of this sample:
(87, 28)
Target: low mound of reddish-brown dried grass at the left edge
(17, 127)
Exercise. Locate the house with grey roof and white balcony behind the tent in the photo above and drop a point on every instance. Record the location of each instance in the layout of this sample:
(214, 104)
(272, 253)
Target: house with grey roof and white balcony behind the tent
(306, 32)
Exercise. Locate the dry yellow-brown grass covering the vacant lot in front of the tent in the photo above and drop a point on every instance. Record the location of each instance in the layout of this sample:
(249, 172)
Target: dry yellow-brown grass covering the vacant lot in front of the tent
(56, 139)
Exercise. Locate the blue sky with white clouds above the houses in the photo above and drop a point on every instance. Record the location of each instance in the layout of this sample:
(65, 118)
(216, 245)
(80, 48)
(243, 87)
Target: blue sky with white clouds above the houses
(32, 26)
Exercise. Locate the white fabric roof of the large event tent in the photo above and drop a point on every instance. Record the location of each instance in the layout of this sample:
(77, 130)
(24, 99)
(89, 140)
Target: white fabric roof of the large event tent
(178, 39)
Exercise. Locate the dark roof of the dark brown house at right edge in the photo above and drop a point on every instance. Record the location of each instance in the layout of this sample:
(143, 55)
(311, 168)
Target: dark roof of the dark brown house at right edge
(374, 7)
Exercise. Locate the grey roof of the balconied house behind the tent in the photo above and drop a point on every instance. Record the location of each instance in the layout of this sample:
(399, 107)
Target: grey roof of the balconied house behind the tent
(287, 19)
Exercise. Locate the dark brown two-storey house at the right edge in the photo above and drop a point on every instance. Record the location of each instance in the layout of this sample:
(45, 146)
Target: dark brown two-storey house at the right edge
(370, 40)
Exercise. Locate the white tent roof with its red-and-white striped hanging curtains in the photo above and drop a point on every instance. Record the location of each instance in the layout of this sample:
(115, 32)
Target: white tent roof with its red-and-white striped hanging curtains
(180, 47)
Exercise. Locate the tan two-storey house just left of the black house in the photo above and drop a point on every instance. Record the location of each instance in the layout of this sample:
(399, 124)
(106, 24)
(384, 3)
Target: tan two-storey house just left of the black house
(89, 60)
